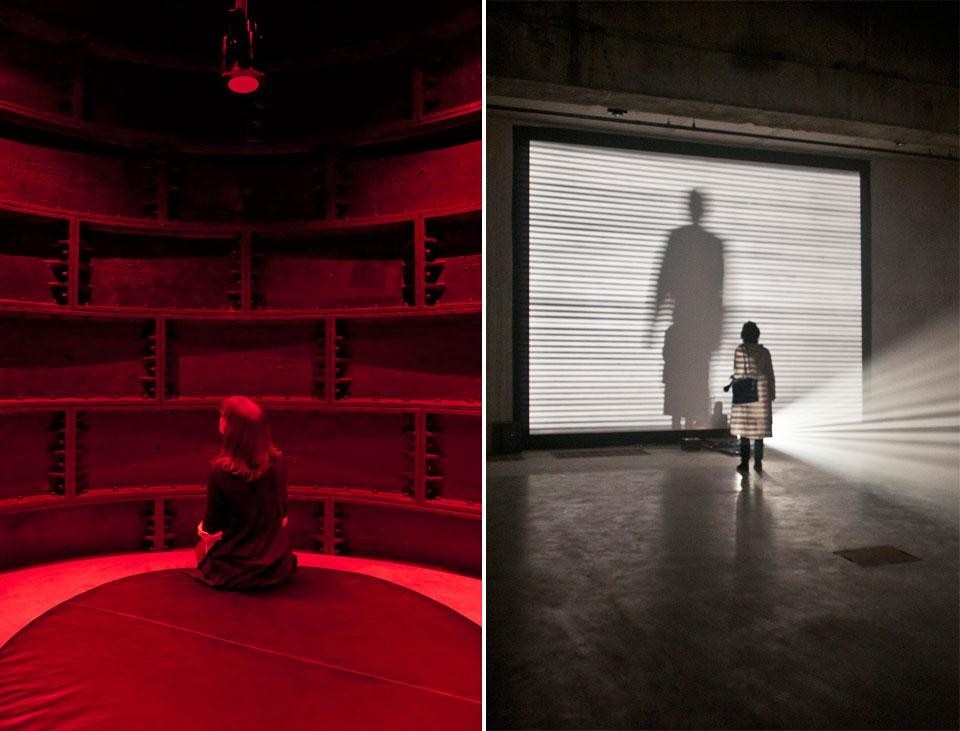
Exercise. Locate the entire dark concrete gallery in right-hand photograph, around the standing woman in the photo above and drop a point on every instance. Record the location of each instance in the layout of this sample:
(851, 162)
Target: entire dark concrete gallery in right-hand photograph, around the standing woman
(658, 175)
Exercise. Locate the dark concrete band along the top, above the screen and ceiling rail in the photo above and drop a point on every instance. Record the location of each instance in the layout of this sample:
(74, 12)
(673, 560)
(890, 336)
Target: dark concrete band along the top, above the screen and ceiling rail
(884, 69)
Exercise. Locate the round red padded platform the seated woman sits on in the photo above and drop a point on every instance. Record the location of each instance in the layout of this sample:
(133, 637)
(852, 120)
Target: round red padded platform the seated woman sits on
(330, 650)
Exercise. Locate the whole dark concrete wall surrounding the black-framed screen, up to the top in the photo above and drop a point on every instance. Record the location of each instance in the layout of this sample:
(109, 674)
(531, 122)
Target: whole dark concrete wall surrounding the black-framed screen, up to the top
(873, 82)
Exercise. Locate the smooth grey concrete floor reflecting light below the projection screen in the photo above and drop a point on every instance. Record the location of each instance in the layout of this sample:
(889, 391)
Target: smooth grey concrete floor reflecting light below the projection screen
(665, 591)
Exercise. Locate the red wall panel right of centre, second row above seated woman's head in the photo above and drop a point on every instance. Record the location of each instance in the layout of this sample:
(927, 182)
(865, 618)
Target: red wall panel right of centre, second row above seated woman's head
(363, 269)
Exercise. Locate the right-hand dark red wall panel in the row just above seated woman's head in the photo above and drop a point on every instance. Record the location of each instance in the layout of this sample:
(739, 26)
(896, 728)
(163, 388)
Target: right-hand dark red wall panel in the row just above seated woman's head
(423, 358)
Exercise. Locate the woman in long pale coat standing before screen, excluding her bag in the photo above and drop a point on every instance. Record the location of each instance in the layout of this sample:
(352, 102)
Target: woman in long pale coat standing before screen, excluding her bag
(753, 420)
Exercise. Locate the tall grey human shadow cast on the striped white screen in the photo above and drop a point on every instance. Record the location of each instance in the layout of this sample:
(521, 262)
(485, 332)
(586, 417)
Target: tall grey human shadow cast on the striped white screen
(691, 276)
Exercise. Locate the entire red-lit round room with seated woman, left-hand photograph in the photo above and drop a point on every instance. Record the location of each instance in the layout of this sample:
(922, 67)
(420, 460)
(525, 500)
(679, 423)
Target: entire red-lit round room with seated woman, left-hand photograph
(273, 201)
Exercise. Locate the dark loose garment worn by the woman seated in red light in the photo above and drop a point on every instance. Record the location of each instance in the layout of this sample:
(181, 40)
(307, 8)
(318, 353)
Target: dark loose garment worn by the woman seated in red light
(255, 549)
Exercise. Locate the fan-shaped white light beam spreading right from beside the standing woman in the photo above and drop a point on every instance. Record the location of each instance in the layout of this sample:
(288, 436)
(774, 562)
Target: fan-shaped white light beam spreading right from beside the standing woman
(909, 435)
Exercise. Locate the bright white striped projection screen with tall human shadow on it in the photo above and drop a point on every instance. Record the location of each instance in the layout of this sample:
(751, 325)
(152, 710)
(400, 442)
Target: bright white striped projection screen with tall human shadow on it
(644, 265)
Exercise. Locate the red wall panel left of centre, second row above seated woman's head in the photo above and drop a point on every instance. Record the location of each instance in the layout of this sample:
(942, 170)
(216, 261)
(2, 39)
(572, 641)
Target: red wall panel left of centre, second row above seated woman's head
(157, 271)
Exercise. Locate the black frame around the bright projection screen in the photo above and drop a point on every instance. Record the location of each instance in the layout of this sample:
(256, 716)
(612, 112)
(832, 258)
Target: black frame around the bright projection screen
(522, 136)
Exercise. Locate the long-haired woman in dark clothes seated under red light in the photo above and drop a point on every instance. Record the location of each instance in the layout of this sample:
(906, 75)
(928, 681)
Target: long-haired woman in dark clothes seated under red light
(243, 538)
